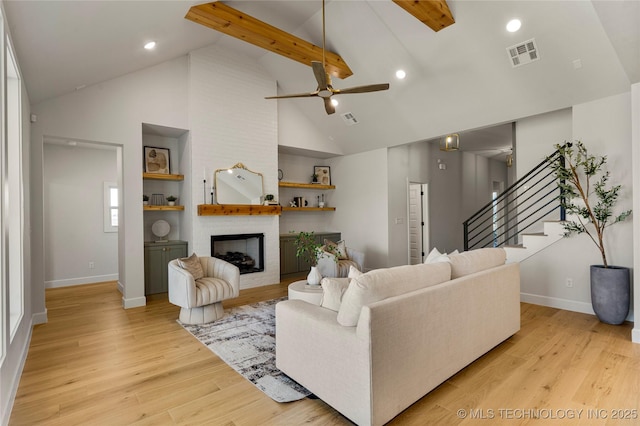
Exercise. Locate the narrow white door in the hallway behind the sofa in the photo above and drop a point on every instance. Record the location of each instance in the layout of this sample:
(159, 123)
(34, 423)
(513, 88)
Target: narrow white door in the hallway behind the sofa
(418, 222)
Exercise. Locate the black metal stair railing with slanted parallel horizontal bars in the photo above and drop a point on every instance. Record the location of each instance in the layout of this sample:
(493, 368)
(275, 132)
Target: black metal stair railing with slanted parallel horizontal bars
(525, 204)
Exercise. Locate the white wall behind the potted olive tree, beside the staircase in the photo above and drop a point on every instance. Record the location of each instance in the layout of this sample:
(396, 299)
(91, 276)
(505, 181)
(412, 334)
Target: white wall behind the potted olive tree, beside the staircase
(605, 128)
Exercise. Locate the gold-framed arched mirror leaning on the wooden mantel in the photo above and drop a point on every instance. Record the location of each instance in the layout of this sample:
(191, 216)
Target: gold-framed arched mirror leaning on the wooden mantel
(238, 185)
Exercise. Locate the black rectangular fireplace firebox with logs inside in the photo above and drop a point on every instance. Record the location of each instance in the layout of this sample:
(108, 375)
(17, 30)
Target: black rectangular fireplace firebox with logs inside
(246, 251)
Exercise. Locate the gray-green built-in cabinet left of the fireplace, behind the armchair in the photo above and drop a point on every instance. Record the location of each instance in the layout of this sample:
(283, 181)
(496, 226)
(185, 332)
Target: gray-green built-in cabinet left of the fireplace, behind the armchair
(156, 258)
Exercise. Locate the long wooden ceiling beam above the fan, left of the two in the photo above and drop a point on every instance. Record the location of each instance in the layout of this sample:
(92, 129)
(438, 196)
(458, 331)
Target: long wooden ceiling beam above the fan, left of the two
(221, 17)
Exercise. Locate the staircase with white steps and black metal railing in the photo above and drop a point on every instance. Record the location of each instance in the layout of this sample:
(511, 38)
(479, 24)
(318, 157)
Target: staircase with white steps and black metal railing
(524, 219)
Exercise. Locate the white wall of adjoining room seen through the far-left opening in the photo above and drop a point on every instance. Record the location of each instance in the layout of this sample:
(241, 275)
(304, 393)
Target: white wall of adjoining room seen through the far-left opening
(74, 179)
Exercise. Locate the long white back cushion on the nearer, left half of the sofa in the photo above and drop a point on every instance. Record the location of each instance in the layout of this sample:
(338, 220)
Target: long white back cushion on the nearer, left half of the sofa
(381, 284)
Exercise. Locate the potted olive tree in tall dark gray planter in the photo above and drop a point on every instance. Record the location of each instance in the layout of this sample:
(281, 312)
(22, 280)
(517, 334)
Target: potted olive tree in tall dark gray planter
(589, 199)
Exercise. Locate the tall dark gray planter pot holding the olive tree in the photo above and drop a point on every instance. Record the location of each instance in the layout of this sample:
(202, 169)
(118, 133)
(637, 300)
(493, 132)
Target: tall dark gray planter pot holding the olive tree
(610, 293)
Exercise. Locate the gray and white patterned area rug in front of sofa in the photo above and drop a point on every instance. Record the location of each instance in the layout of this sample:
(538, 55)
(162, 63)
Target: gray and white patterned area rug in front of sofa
(245, 339)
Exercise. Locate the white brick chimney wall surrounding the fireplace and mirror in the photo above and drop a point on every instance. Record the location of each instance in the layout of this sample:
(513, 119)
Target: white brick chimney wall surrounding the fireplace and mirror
(230, 123)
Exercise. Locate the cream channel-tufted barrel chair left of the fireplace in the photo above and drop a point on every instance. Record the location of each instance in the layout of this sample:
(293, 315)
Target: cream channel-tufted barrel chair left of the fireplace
(201, 300)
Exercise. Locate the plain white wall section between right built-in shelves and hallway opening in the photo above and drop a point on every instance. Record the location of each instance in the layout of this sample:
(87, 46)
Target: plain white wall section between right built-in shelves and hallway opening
(361, 199)
